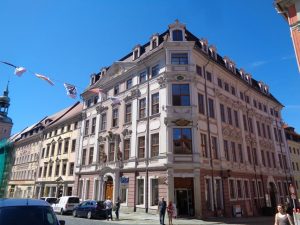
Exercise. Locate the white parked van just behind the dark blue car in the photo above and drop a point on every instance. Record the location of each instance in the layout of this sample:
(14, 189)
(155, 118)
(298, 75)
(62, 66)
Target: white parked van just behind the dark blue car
(65, 204)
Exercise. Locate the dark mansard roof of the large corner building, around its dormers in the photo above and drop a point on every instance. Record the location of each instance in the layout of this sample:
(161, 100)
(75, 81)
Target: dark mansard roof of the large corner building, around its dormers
(163, 37)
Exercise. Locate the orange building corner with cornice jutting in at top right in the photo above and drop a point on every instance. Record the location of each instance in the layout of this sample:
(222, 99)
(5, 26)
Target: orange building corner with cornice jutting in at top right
(290, 10)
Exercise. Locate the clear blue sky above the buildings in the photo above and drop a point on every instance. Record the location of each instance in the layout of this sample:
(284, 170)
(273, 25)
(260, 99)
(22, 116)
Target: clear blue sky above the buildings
(69, 40)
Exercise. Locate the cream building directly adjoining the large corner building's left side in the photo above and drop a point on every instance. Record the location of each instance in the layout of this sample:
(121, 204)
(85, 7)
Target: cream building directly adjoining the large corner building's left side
(55, 173)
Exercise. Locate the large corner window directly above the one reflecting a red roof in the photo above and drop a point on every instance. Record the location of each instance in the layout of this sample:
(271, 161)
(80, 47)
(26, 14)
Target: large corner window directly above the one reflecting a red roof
(181, 94)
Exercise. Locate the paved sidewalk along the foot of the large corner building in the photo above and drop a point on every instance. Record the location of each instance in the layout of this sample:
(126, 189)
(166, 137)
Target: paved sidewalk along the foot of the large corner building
(147, 218)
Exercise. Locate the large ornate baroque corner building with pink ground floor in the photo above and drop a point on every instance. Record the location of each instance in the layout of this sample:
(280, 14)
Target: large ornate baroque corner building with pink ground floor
(174, 119)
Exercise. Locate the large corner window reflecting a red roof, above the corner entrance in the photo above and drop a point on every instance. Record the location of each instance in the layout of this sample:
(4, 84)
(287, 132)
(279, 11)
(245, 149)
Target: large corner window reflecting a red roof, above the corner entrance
(182, 140)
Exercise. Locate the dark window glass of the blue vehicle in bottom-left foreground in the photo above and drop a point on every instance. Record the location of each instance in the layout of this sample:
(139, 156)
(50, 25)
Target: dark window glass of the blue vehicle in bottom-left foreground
(27, 215)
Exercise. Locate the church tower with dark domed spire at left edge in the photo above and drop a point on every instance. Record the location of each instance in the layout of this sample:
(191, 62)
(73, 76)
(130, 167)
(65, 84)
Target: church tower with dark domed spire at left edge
(5, 122)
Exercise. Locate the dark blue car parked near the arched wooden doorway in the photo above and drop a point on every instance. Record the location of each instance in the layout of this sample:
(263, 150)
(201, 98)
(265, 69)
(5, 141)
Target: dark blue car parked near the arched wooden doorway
(90, 209)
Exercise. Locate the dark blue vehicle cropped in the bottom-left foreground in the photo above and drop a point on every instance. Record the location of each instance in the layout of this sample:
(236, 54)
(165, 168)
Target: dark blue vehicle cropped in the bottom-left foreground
(27, 212)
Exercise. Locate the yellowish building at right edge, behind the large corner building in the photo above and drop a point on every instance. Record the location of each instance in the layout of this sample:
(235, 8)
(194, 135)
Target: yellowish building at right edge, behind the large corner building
(293, 140)
